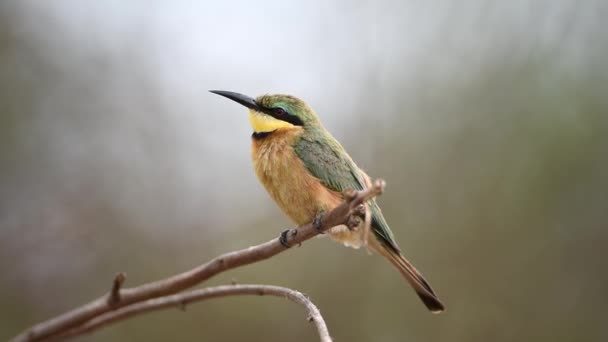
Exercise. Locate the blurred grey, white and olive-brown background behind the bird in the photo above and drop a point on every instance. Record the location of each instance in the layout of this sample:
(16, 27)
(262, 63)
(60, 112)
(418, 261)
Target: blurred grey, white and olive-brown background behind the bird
(487, 120)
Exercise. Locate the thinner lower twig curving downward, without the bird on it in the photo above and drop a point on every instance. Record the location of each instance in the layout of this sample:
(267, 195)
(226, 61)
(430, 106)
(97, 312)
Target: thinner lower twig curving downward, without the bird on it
(181, 299)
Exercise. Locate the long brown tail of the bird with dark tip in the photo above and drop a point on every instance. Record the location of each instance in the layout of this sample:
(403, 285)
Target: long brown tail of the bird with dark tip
(413, 277)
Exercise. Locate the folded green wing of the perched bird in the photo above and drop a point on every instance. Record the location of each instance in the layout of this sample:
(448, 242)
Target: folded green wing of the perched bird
(325, 158)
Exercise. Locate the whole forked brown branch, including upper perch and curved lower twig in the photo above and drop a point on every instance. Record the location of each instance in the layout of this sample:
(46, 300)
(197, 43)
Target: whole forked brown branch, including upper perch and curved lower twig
(120, 303)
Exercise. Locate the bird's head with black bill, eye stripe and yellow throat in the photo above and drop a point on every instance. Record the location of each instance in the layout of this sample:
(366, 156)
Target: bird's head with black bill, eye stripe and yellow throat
(268, 113)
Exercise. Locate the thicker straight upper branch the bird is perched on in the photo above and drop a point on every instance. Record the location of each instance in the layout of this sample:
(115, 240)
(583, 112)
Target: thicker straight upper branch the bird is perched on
(118, 298)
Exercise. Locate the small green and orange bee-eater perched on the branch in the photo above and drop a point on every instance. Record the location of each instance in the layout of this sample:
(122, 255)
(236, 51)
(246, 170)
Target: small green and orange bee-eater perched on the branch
(305, 170)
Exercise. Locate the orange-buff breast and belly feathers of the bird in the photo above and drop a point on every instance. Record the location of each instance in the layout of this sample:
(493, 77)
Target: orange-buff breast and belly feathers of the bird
(287, 180)
